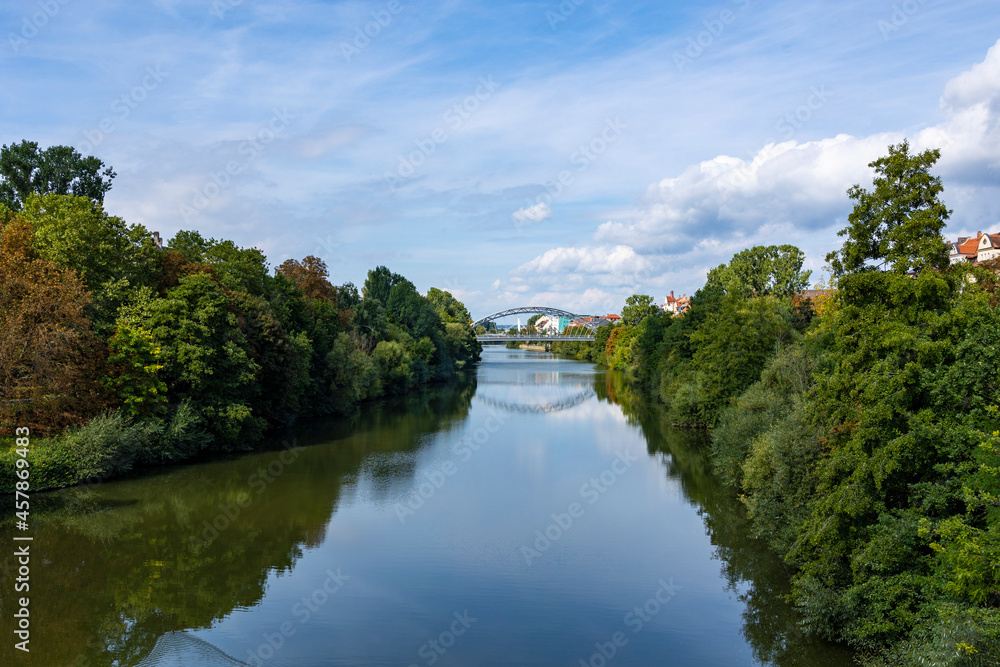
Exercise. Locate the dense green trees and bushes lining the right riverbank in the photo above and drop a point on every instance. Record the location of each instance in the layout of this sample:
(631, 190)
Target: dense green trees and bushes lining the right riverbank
(861, 428)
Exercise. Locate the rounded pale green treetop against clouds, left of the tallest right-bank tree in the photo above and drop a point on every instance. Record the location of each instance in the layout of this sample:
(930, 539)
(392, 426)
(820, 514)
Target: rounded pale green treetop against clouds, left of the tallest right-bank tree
(763, 270)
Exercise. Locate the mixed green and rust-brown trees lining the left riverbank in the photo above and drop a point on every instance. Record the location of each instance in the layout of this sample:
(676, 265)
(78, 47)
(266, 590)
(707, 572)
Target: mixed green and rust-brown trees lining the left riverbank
(118, 354)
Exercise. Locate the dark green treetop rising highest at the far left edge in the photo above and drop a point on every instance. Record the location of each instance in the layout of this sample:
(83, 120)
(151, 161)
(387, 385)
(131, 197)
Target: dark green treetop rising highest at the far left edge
(60, 170)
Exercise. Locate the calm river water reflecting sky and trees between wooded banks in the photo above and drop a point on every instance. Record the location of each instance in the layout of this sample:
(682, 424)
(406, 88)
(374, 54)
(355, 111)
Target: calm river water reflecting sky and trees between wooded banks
(537, 512)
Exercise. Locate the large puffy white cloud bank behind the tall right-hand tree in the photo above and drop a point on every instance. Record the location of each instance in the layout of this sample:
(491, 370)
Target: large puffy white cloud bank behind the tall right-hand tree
(788, 192)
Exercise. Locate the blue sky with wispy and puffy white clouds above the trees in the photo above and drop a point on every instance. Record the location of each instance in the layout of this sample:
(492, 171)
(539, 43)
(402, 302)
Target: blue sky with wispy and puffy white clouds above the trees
(514, 153)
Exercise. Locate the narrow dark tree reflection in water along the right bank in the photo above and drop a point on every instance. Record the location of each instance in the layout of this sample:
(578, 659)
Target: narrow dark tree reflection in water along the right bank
(770, 622)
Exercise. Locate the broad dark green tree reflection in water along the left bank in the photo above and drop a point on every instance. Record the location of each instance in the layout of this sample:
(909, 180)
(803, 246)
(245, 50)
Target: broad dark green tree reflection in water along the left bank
(122, 564)
